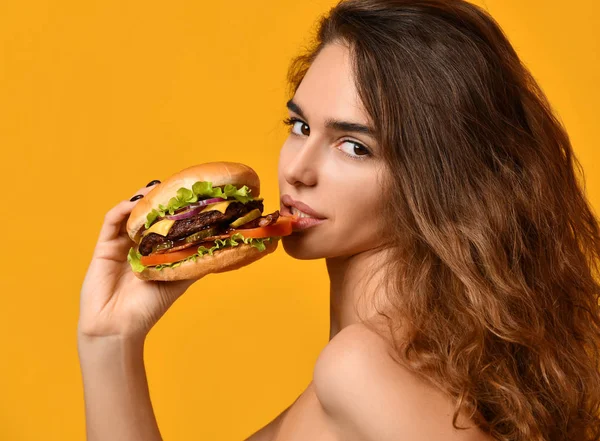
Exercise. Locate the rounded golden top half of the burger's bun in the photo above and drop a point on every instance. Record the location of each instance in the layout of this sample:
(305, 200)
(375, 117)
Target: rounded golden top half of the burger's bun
(219, 173)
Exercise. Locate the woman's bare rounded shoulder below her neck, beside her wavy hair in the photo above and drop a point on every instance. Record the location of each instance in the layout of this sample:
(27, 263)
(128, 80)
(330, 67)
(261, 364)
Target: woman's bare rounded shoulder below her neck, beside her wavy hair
(367, 394)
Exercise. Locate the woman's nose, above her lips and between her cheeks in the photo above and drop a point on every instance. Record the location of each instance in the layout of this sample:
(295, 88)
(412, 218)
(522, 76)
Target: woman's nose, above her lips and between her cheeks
(304, 163)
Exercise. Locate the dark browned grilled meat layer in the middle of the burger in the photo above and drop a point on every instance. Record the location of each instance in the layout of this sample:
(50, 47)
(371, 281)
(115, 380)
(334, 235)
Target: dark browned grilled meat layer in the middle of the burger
(185, 227)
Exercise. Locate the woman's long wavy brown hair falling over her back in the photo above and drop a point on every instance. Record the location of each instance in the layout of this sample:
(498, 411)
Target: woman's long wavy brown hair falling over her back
(495, 247)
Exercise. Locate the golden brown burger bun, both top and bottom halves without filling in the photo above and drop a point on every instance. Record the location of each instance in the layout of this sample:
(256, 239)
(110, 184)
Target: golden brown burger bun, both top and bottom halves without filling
(225, 259)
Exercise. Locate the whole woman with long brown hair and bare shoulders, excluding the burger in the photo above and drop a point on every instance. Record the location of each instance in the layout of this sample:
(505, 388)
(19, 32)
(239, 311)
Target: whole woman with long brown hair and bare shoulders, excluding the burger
(460, 247)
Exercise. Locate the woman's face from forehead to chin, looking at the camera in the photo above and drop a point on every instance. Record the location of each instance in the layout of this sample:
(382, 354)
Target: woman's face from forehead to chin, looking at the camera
(331, 163)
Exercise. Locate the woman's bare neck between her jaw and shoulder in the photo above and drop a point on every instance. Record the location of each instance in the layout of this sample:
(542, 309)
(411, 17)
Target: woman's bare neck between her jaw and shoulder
(353, 286)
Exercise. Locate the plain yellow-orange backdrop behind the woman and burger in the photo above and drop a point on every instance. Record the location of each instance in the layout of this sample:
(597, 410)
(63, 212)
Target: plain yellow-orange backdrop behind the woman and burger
(99, 97)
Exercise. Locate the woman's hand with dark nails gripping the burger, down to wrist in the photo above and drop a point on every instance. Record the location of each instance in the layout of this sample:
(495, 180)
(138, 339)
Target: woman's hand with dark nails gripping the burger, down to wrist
(114, 302)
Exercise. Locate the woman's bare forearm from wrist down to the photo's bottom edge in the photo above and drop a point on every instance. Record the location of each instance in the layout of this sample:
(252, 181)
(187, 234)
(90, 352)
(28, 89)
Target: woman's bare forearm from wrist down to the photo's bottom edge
(117, 399)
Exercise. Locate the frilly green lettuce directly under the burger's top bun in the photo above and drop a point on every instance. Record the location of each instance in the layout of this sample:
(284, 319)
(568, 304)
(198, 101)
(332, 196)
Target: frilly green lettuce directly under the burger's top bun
(200, 189)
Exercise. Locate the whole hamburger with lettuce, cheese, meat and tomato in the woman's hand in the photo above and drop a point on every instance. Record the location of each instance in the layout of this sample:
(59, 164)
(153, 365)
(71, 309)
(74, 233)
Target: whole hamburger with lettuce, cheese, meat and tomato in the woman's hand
(205, 219)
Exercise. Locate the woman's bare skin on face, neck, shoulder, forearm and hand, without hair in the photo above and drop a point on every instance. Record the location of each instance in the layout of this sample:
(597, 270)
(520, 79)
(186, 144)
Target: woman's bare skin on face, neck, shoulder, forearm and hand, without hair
(358, 392)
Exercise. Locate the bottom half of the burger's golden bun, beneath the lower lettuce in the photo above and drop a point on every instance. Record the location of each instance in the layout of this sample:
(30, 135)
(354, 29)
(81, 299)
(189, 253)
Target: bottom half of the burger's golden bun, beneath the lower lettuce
(225, 259)
